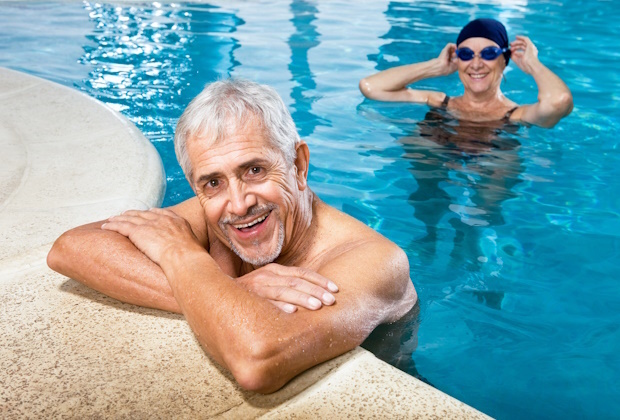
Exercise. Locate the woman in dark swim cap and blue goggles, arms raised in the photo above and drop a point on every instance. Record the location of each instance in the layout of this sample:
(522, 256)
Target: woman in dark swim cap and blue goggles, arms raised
(480, 55)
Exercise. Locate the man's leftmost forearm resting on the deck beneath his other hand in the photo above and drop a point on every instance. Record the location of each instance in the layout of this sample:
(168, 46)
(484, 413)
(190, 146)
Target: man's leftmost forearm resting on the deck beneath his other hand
(109, 263)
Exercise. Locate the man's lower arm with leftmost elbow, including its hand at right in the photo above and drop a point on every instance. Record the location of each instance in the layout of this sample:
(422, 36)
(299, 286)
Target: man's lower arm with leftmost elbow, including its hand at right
(111, 264)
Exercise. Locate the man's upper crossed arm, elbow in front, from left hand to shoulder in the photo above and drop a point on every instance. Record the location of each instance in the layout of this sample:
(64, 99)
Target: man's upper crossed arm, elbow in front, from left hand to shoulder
(263, 347)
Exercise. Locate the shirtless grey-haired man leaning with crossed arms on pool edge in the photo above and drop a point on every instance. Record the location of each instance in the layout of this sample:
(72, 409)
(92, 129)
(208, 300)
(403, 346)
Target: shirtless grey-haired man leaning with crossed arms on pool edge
(255, 260)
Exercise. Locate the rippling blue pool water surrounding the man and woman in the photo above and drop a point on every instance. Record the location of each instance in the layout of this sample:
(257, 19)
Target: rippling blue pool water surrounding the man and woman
(514, 249)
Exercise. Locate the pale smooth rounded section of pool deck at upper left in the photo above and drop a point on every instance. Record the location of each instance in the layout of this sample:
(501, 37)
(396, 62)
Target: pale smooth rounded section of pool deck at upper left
(66, 160)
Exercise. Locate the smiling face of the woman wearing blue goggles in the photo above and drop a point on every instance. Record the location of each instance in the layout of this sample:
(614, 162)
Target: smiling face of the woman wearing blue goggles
(478, 75)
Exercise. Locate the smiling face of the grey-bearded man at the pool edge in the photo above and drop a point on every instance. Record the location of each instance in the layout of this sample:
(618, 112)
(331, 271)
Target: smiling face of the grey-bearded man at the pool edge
(248, 191)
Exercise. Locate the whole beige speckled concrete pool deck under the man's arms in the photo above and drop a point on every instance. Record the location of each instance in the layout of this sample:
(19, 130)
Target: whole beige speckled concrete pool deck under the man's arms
(68, 351)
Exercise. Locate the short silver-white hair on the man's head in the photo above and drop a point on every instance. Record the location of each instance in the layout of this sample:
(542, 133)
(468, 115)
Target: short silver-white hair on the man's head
(224, 107)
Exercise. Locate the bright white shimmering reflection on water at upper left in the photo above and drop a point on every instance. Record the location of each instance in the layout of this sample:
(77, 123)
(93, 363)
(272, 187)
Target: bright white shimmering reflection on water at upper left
(134, 58)
